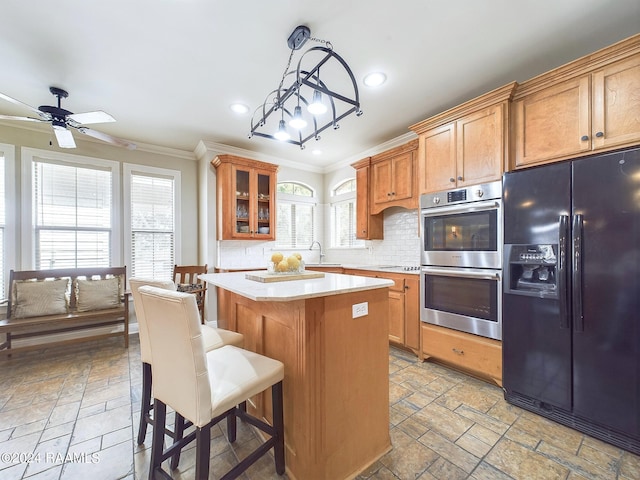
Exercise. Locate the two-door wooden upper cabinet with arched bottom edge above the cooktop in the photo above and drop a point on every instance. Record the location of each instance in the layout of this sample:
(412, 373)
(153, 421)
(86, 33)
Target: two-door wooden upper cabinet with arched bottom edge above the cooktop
(393, 178)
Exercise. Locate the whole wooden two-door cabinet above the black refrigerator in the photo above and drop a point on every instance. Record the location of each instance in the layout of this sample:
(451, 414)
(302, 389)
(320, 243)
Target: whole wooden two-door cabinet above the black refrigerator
(588, 105)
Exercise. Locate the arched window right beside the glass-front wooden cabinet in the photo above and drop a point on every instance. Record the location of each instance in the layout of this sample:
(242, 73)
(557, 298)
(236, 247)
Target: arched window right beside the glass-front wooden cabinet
(296, 215)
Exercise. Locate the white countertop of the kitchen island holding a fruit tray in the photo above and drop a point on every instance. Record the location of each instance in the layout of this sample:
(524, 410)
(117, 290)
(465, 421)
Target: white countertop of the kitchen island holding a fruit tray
(330, 284)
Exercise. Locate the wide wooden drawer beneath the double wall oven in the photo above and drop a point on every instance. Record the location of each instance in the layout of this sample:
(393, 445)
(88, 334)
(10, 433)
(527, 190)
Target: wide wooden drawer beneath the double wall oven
(479, 355)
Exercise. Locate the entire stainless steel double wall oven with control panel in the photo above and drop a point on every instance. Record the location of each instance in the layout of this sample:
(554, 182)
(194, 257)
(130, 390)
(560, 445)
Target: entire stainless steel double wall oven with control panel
(461, 257)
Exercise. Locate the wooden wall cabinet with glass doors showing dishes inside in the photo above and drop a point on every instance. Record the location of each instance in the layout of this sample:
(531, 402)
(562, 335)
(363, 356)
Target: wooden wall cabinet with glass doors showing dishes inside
(246, 208)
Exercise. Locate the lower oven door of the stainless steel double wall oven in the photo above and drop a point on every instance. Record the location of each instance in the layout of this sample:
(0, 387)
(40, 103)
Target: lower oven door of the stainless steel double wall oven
(465, 299)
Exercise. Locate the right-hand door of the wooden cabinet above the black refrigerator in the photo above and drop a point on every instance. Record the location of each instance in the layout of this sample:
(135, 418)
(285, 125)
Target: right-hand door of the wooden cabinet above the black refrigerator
(616, 103)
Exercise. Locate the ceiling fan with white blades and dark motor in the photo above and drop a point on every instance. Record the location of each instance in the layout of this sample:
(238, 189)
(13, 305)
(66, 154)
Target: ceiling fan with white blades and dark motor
(61, 119)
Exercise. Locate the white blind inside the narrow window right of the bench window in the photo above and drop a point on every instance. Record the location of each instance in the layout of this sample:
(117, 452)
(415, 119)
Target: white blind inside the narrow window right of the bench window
(152, 225)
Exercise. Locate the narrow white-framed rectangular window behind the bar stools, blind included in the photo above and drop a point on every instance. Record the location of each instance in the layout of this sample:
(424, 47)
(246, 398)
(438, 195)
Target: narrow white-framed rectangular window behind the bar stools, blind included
(151, 202)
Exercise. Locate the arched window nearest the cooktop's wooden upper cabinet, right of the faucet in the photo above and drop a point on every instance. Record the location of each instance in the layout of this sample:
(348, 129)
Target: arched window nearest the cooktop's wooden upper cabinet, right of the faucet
(343, 215)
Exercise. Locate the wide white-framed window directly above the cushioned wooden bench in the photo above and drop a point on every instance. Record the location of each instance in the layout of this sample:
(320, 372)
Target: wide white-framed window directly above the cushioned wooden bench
(71, 209)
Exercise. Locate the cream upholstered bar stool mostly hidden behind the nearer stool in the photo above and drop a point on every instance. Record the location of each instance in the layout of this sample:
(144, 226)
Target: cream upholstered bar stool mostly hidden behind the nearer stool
(212, 338)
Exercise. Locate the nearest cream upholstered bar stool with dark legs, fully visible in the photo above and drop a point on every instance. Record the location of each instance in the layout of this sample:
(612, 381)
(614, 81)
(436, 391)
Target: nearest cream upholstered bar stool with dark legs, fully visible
(205, 387)
